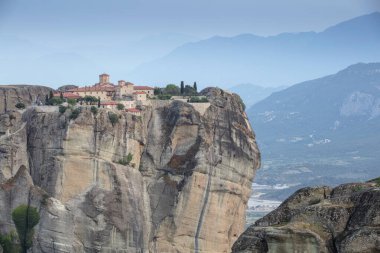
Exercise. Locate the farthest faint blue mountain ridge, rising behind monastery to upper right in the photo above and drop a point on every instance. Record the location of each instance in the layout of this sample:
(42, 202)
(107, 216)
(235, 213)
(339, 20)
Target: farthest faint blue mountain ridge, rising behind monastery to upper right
(283, 59)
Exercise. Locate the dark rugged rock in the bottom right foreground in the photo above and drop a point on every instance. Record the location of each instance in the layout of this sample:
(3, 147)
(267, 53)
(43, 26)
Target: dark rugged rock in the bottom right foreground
(343, 219)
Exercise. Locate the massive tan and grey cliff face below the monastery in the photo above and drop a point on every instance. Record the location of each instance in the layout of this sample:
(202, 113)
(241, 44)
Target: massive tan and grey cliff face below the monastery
(186, 188)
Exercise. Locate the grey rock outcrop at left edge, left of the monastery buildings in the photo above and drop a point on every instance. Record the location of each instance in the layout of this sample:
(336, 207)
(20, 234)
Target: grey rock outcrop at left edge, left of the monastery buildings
(10, 95)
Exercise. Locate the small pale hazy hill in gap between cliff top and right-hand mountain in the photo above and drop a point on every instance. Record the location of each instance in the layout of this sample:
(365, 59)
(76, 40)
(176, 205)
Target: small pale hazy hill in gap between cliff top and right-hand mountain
(251, 94)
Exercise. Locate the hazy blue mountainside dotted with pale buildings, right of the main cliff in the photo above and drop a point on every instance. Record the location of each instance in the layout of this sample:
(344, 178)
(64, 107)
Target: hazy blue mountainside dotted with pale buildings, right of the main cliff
(324, 131)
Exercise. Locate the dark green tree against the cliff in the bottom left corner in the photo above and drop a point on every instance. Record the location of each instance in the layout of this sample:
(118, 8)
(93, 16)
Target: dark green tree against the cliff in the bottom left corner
(25, 218)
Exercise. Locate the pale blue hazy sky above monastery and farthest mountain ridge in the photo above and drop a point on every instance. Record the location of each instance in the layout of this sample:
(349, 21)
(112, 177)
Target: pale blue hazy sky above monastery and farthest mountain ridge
(56, 42)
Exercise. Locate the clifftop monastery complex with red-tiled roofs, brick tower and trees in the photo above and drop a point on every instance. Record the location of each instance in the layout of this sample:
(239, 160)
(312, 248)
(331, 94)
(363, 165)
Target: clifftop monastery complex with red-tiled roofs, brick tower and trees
(123, 95)
